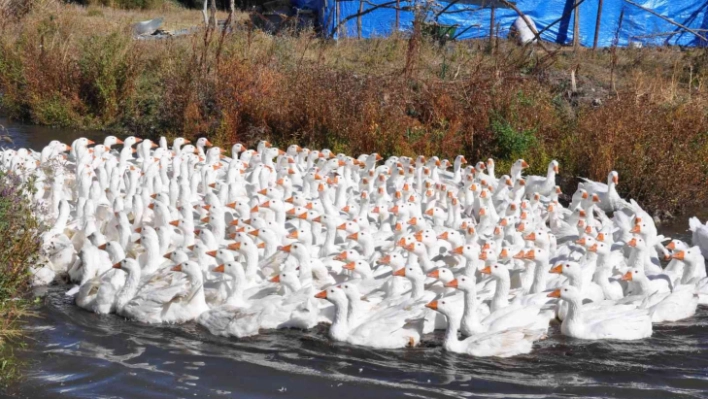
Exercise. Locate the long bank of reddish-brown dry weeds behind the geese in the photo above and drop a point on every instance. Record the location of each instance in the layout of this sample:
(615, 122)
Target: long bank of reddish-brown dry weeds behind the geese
(639, 111)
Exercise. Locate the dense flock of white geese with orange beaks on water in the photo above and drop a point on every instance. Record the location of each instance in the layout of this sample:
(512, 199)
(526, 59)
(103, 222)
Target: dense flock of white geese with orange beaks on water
(385, 251)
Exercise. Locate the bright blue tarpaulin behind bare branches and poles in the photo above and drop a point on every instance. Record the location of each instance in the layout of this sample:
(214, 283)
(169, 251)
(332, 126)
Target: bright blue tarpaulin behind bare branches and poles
(621, 21)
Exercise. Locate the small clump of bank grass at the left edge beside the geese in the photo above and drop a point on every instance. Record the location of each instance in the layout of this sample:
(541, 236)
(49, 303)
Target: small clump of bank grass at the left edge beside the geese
(19, 246)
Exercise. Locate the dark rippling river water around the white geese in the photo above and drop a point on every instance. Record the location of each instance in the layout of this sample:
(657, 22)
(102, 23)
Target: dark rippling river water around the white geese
(77, 354)
